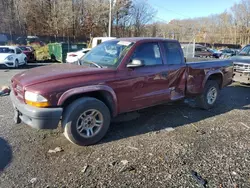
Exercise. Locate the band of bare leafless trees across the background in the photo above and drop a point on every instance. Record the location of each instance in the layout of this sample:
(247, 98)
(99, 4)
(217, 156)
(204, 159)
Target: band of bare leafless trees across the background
(86, 18)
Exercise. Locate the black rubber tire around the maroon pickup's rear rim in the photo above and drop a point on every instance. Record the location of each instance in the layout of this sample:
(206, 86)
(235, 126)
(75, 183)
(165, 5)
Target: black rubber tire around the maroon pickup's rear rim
(202, 100)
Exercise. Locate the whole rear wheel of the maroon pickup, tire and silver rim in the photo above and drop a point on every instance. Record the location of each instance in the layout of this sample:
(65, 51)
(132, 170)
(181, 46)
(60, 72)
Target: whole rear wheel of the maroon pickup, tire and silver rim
(209, 96)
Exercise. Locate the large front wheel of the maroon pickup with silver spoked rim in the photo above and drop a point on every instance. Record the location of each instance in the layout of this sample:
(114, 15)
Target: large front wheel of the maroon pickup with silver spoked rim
(86, 121)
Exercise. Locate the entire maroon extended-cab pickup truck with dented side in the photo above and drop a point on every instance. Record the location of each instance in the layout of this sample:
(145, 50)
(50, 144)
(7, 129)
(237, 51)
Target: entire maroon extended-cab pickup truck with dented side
(115, 77)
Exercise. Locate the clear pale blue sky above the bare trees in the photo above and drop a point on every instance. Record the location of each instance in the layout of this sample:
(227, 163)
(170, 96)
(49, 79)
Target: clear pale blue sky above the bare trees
(168, 10)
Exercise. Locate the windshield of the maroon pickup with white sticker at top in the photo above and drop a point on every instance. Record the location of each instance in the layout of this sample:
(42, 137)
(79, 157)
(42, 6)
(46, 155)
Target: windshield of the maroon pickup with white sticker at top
(107, 54)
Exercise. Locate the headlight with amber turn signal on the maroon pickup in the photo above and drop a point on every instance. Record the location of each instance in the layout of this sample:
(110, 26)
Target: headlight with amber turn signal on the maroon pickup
(35, 99)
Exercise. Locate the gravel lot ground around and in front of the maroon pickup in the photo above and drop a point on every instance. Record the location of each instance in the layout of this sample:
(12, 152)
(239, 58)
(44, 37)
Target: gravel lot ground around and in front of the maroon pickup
(159, 149)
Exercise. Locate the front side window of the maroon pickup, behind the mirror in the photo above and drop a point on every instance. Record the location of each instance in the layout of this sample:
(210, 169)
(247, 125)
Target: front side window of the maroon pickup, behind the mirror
(149, 53)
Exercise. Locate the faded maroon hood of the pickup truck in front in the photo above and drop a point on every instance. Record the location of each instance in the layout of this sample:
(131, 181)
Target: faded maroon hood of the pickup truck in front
(55, 72)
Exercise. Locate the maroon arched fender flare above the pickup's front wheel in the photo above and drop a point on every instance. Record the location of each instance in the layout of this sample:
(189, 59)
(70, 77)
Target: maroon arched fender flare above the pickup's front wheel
(86, 89)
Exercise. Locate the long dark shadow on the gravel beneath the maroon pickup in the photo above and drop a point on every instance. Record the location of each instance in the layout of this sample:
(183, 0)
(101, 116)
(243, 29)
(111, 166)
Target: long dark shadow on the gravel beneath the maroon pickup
(171, 116)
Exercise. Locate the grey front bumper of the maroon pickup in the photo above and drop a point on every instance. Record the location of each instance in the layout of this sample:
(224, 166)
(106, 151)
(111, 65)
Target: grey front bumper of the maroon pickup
(39, 118)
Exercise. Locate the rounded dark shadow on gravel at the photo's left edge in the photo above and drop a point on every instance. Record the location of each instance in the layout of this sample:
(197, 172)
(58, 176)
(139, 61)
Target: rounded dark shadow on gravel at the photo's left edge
(5, 154)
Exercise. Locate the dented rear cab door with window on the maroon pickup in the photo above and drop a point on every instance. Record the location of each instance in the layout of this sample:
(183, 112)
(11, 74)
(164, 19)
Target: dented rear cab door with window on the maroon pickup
(176, 72)
